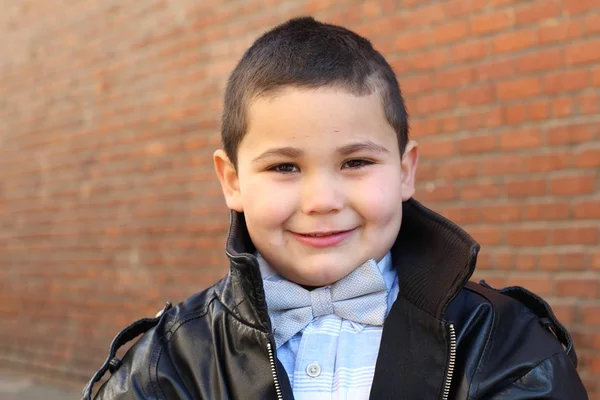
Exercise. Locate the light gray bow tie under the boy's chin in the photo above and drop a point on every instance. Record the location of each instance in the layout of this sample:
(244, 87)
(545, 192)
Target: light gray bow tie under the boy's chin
(361, 296)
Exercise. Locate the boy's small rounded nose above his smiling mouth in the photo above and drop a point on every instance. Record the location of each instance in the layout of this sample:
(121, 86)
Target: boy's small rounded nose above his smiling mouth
(322, 194)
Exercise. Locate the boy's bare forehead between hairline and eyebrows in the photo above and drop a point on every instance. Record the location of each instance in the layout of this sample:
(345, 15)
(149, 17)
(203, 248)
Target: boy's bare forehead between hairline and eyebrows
(316, 117)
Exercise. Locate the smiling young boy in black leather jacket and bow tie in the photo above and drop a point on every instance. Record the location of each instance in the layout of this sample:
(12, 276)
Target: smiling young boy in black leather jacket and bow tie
(341, 286)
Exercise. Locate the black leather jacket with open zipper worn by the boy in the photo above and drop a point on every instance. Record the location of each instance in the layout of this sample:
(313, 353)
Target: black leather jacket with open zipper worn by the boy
(444, 338)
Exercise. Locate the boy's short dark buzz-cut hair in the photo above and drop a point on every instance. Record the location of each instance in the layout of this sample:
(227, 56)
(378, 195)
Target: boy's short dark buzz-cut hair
(305, 53)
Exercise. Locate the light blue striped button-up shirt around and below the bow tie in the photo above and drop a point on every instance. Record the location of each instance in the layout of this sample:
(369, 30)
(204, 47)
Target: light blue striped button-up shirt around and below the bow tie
(334, 358)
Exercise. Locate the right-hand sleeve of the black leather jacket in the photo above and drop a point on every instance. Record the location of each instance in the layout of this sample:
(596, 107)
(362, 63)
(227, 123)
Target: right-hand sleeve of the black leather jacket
(529, 354)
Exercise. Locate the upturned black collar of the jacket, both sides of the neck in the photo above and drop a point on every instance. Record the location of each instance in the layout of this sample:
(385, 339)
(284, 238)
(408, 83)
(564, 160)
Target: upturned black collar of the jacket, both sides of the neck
(433, 256)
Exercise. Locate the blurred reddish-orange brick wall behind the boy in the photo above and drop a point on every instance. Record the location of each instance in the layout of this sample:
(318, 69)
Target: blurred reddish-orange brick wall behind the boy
(109, 113)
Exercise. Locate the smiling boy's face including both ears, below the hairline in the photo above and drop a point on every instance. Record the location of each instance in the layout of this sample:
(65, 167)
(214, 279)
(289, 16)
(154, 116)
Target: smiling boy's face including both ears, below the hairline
(320, 182)
